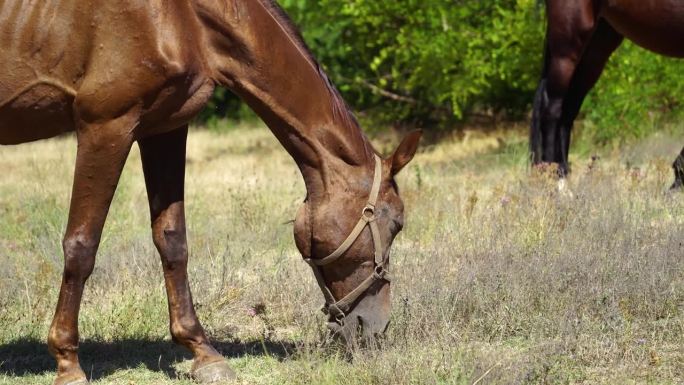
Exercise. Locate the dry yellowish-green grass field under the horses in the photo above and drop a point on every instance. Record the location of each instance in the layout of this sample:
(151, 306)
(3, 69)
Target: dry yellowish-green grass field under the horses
(499, 278)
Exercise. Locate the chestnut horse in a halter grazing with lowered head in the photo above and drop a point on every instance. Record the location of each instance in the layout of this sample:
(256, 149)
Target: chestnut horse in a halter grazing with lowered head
(138, 71)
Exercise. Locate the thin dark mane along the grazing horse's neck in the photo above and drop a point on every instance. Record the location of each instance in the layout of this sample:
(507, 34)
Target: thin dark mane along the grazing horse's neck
(341, 111)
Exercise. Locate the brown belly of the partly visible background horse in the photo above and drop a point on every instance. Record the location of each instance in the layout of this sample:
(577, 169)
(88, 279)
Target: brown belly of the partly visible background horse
(656, 25)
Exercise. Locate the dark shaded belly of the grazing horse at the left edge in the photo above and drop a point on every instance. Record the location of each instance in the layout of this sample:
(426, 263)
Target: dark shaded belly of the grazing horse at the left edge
(41, 112)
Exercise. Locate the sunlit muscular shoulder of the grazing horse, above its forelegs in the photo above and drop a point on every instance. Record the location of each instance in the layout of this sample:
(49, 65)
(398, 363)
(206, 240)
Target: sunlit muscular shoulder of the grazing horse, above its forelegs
(142, 58)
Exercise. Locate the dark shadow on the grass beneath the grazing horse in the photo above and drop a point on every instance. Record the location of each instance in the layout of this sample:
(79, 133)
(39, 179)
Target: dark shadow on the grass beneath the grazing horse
(101, 359)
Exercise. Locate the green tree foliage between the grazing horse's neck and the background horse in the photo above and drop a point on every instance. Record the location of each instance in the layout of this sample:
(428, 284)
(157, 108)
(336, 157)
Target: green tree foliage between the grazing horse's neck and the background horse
(427, 61)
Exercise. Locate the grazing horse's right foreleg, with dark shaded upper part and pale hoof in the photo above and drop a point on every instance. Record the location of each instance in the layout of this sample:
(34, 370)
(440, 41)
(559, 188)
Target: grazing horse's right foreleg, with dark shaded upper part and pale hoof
(163, 159)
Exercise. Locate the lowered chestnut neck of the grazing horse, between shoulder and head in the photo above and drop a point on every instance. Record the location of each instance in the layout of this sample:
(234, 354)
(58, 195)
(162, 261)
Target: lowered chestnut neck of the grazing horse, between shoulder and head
(253, 50)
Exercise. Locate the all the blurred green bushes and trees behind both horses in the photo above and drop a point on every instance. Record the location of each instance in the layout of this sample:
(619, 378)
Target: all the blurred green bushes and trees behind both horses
(445, 64)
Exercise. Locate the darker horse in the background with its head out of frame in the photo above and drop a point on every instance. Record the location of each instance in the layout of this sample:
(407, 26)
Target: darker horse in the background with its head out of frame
(581, 35)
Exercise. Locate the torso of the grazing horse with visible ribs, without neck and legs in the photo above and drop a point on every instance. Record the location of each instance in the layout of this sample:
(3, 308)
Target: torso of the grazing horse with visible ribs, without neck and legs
(93, 60)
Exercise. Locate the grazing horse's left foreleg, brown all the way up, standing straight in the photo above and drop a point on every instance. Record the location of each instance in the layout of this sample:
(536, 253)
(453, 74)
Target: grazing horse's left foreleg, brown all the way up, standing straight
(102, 153)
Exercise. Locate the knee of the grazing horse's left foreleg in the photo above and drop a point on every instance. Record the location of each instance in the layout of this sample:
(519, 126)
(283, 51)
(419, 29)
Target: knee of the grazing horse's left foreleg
(79, 257)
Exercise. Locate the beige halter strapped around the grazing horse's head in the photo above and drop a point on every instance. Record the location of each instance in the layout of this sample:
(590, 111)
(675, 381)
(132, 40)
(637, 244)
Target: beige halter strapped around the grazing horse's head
(340, 308)
